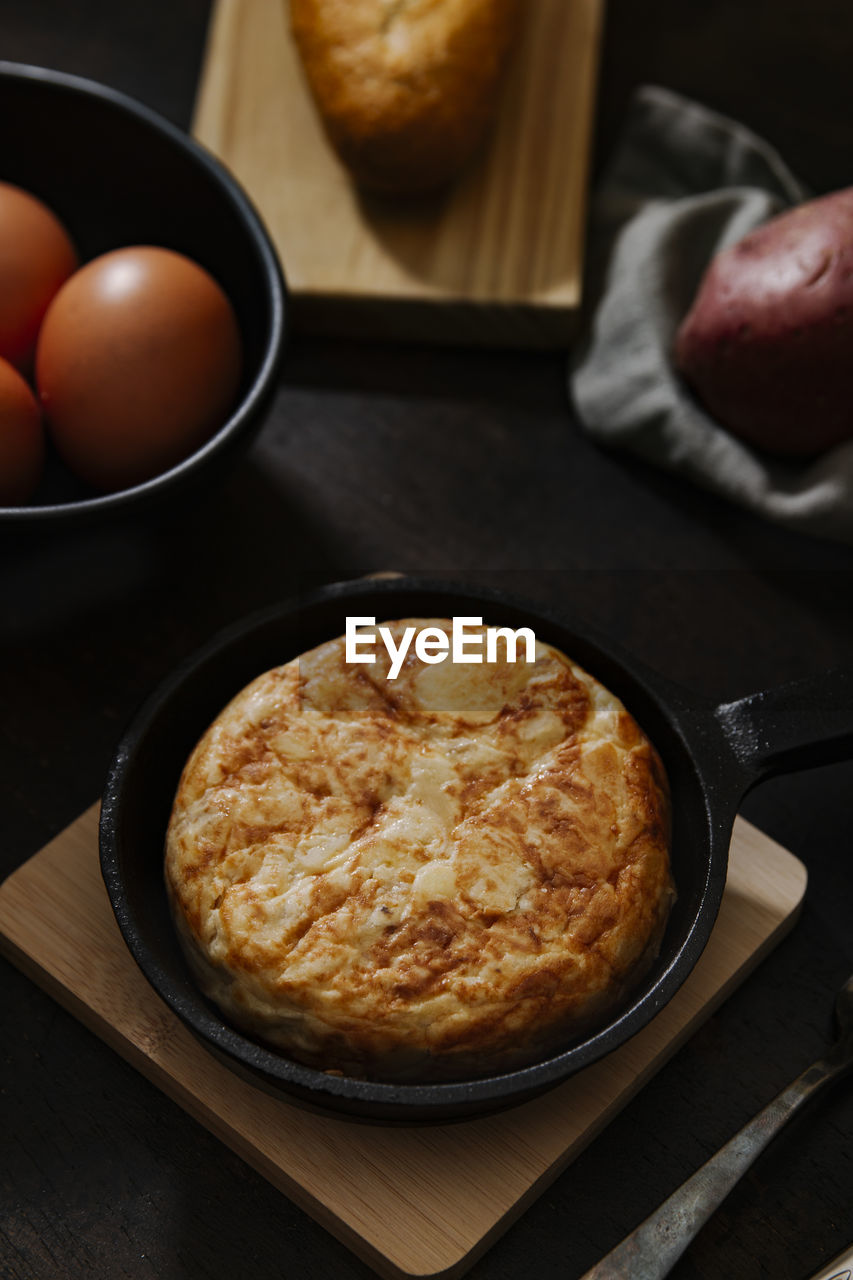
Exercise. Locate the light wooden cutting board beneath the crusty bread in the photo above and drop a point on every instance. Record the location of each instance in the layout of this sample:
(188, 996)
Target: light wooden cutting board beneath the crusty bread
(496, 259)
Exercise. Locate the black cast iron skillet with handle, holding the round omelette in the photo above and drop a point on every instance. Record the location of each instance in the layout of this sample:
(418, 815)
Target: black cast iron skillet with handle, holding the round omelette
(713, 755)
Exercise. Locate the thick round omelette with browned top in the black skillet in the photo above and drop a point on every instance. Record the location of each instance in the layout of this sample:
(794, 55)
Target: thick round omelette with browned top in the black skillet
(431, 877)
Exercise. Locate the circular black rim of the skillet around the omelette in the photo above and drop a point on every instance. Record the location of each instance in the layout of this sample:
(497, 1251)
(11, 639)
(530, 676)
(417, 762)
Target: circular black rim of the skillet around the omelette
(437, 1100)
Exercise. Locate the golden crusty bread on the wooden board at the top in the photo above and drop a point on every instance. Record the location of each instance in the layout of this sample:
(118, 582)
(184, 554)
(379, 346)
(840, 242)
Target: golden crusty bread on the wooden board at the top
(407, 89)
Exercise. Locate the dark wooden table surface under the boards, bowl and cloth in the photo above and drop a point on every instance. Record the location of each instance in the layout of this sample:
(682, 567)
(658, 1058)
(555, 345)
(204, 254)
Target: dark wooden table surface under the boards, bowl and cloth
(435, 461)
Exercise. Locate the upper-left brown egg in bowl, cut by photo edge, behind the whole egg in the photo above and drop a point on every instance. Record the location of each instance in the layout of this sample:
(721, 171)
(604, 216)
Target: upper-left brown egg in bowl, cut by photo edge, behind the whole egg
(37, 257)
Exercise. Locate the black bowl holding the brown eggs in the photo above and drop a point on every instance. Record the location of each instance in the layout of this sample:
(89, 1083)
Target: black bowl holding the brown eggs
(116, 173)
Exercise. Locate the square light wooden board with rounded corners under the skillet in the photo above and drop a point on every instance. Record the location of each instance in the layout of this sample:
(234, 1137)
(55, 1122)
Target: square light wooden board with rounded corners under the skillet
(412, 1203)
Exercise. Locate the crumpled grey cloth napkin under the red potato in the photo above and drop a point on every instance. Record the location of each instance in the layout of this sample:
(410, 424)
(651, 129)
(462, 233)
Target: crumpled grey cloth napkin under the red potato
(685, 184)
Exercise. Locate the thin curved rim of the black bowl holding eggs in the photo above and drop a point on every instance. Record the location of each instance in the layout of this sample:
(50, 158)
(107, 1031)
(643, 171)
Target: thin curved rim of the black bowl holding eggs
(264, 381)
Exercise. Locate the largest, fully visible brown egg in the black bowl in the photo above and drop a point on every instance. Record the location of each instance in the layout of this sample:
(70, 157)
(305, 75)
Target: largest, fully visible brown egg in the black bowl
(139, 363)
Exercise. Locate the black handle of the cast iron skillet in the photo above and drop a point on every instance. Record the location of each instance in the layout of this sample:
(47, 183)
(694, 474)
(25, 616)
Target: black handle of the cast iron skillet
(796, 726)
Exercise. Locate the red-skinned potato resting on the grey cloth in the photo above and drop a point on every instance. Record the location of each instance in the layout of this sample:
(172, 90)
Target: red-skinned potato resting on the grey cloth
(768, 345)
